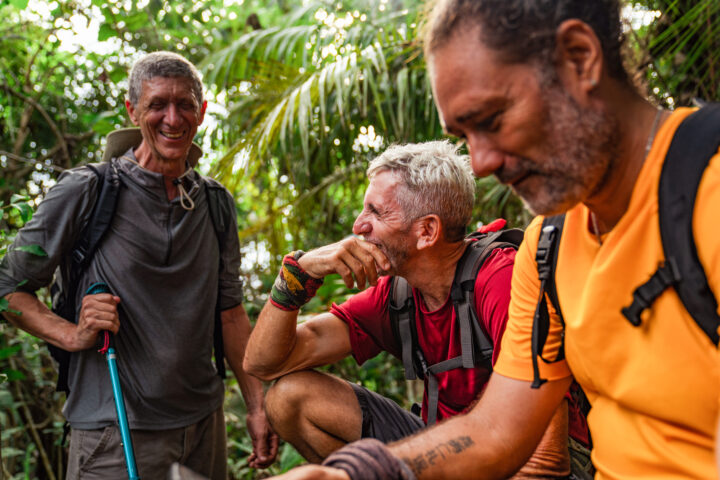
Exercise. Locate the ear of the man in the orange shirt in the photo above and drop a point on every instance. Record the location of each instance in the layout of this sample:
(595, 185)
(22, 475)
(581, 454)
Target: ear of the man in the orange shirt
(579, 58)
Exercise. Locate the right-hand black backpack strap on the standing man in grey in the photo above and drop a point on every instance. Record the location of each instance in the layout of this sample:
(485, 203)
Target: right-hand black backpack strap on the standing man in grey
(220, 215)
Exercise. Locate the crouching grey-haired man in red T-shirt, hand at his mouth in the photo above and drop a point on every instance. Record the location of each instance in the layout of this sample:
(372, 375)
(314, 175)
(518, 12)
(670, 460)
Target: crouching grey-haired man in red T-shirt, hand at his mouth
(416, 211)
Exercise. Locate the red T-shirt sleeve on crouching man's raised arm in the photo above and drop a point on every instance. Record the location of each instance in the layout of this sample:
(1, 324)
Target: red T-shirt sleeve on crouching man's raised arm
(368, 320)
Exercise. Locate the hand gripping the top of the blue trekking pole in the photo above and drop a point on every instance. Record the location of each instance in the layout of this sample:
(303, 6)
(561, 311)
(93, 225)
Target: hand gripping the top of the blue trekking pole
(98, 312)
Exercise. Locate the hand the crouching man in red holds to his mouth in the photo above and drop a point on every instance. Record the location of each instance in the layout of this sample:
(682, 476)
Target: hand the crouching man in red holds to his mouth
(351, 257)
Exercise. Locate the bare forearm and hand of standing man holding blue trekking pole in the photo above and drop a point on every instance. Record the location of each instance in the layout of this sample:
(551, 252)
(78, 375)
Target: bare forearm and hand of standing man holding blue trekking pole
(97, 313)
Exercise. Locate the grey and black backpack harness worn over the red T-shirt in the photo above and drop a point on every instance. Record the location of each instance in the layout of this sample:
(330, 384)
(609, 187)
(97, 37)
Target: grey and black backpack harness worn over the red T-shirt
(476, 346)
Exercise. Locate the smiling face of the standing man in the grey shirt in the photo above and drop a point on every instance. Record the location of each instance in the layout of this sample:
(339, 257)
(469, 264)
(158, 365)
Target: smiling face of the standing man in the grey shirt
(168, 114)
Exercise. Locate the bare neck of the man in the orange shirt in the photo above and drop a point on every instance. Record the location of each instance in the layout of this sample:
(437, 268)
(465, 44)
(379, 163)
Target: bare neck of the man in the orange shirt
(636, 119)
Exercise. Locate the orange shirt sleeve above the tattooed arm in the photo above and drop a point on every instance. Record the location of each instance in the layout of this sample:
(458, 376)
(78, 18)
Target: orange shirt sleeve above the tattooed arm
(515, 360)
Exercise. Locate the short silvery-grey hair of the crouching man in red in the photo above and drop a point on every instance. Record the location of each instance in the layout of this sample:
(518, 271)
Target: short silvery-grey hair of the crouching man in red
(434, 179)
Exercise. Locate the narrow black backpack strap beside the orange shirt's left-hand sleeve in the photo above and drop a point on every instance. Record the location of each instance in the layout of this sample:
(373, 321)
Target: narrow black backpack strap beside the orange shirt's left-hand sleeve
(546, 261)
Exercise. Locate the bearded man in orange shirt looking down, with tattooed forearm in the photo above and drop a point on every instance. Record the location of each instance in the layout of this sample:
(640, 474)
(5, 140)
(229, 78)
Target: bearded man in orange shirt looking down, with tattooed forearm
(538, 91)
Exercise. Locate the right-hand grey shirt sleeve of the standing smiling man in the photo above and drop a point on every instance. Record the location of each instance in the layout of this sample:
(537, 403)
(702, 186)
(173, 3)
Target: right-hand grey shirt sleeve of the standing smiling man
(231, 285)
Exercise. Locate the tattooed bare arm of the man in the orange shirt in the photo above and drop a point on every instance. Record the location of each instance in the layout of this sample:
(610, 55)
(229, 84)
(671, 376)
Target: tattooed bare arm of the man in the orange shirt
(493, 440)
